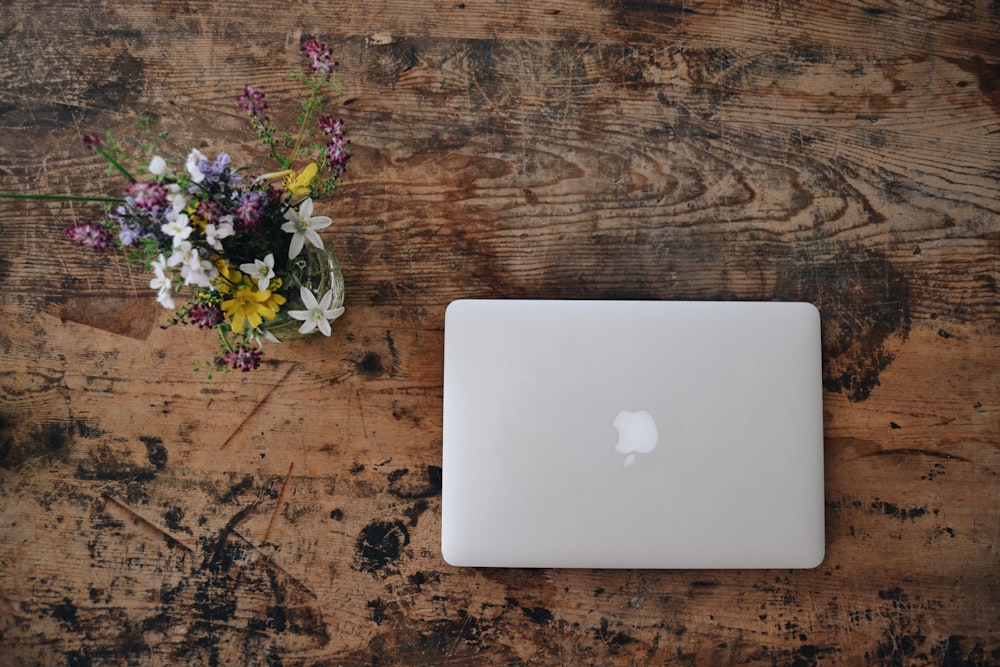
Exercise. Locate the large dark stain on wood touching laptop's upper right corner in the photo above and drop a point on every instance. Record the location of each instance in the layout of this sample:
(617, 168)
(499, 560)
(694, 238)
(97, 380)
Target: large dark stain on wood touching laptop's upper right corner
(864, 303)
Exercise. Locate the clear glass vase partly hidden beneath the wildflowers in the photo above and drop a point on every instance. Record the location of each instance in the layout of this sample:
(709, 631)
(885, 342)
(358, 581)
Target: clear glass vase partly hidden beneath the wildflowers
(318, 270)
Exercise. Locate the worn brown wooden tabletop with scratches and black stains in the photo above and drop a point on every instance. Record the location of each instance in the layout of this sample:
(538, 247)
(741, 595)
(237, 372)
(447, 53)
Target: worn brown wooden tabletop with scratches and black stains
(846, 154)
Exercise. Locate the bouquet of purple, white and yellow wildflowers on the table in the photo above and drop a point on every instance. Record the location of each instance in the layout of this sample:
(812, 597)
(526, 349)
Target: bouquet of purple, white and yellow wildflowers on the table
(243, 247)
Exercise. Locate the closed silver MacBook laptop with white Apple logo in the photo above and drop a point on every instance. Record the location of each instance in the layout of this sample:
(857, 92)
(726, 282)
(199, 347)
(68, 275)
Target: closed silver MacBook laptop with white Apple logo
(632, 434)
